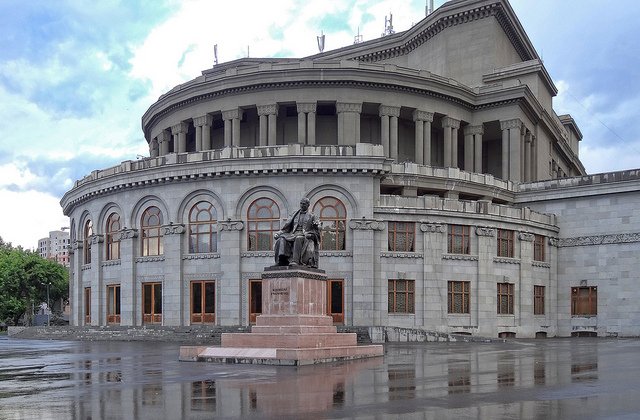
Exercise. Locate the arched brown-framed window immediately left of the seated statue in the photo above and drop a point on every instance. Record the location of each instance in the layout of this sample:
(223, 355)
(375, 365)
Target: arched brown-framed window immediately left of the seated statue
(263, 219)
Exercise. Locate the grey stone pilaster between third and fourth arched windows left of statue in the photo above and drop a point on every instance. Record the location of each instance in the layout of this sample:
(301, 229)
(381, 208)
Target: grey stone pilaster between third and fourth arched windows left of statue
(128, 287)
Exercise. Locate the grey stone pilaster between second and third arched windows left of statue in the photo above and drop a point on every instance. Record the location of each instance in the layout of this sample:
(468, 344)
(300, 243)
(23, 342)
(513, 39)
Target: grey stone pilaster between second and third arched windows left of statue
(172, 286)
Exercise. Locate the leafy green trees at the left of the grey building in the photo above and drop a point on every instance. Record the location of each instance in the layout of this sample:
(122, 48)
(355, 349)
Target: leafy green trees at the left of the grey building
(24, 277)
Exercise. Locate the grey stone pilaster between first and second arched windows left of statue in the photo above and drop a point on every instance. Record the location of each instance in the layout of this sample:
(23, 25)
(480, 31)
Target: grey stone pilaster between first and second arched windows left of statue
(230, 241)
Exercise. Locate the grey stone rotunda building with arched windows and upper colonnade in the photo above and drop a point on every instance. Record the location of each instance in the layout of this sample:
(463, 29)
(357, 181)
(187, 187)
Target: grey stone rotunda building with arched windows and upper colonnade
(428, 174)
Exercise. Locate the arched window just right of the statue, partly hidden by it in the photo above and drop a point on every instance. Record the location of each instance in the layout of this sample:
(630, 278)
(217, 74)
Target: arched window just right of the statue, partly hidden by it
(333, 216)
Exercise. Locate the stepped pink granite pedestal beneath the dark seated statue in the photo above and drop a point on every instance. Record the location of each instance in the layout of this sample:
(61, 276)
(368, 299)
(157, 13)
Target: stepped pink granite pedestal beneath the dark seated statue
(293, 328)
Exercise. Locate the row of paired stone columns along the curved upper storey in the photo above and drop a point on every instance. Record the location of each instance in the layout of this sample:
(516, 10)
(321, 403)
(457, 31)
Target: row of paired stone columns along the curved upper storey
(518, 145)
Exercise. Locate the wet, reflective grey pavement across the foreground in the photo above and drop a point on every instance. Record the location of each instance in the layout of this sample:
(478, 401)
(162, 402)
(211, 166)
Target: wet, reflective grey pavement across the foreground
(580, 378)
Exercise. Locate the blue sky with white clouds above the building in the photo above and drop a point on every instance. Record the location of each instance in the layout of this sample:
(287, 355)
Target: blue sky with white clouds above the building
(77, 75)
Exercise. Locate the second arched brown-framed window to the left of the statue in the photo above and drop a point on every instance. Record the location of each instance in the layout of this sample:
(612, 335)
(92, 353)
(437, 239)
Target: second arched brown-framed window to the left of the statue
(203, 228)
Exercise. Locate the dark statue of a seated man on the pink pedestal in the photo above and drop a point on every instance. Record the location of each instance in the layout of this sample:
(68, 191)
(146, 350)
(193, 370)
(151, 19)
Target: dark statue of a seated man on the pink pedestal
(298, 242)
